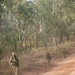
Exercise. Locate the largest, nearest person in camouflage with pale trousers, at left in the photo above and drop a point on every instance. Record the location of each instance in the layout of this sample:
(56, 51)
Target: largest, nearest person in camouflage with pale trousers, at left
(14, 62)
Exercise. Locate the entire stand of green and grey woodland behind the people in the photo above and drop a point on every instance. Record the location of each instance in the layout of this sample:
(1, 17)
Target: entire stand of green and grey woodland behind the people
(28, 25)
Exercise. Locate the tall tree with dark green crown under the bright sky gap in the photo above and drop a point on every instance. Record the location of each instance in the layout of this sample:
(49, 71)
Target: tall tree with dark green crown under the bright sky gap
(27, 14)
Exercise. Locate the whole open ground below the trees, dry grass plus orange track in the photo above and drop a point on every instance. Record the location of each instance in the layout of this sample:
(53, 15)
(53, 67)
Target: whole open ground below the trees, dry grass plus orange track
(33, 63)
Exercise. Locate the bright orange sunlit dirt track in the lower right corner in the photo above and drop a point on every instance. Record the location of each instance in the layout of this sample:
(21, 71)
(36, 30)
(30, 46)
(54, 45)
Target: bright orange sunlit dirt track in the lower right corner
(65, 68)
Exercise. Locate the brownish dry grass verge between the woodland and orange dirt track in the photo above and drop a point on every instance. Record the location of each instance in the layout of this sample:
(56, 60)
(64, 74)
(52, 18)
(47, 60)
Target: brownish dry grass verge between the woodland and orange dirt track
(34, 62)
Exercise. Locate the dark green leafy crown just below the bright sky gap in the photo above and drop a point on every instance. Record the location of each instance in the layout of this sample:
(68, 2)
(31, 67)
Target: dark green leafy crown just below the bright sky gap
(26, 11)
